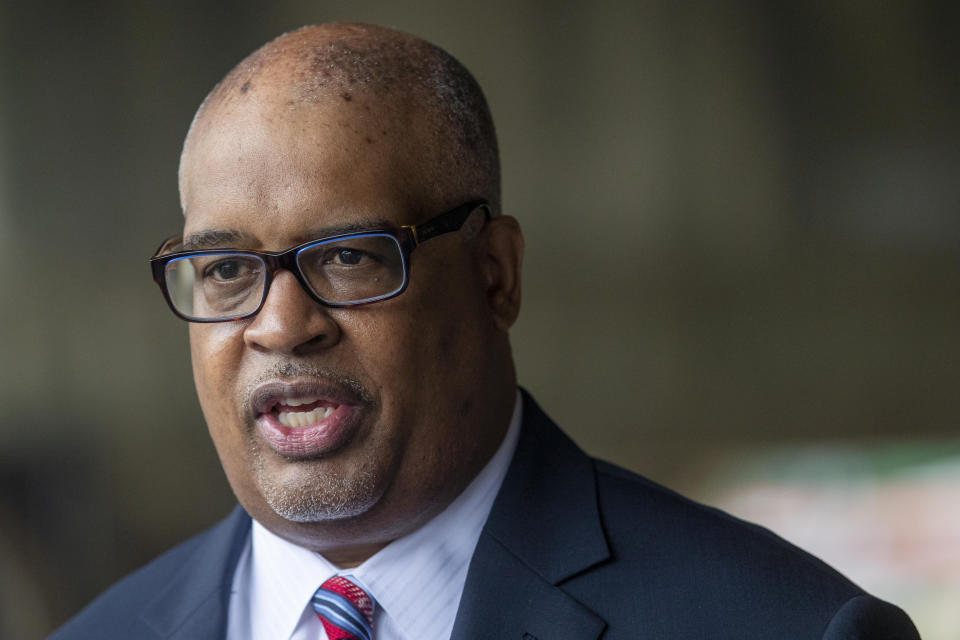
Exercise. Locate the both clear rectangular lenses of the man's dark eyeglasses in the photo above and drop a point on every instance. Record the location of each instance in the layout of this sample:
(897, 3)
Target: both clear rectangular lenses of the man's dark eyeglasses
(225, 285)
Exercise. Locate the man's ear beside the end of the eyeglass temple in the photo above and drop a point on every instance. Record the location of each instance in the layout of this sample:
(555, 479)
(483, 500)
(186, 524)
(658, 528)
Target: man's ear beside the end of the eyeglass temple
(501, 247)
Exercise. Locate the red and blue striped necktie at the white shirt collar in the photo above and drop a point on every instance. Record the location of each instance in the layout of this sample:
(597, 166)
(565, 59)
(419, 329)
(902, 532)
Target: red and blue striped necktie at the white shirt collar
(345, 610)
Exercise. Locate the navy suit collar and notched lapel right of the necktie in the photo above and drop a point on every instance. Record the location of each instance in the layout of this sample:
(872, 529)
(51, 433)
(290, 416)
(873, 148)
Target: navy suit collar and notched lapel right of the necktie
(544, 527)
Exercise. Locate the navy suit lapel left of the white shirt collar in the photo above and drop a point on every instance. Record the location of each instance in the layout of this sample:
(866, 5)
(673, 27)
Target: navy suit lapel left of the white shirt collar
(194, 604)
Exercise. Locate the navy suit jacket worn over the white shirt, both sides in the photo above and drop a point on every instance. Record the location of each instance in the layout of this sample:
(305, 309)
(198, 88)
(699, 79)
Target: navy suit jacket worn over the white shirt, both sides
(574, 549)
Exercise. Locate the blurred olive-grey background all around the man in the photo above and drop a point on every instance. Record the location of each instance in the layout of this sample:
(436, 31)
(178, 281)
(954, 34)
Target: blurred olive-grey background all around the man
(742, 222)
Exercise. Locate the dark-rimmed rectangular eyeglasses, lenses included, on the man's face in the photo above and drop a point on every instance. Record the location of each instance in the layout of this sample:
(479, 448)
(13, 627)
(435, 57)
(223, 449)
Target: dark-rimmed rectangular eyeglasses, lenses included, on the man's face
(216, 285)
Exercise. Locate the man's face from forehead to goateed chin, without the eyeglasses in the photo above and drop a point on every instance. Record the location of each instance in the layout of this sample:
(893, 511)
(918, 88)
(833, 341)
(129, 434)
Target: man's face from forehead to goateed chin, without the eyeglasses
(402, 400)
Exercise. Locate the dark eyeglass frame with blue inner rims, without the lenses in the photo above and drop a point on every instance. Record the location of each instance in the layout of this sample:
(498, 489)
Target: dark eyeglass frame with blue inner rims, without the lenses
(407, 237)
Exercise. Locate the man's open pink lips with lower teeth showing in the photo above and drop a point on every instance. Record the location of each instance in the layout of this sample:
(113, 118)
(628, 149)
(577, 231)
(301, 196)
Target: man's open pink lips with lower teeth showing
(306, 419)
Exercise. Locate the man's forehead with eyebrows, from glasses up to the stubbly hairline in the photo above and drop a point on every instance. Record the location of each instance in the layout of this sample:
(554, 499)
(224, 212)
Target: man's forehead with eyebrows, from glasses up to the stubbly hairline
(303, 173)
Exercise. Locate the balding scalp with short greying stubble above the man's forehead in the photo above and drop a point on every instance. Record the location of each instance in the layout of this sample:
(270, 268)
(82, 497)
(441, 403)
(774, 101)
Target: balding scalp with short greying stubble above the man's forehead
(408, 84)
